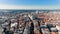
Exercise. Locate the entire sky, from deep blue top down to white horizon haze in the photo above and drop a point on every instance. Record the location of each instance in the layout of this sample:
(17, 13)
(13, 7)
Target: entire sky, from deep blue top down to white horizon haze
(30, 4)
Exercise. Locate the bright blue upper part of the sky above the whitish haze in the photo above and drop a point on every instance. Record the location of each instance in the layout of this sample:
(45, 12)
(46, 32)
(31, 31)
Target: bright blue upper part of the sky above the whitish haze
(31, 2)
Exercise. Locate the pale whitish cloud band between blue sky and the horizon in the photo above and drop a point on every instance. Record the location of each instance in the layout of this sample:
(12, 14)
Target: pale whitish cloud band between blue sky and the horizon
(28, 7)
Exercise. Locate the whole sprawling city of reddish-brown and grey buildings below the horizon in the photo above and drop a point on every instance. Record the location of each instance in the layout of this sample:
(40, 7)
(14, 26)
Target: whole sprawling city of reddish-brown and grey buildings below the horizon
(29, 21)
